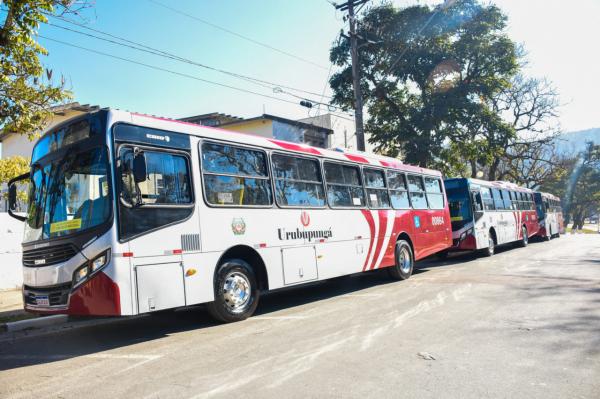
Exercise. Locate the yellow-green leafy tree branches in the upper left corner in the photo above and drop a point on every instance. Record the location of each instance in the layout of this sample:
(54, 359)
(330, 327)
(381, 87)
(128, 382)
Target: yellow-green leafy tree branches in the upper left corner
(27, 89)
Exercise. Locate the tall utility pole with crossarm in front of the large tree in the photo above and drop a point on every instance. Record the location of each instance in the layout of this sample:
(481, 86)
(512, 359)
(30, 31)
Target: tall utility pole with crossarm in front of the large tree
(358, 104)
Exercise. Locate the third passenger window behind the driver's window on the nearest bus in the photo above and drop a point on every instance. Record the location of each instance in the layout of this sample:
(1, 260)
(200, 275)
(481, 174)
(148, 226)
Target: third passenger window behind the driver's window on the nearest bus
(344, 188)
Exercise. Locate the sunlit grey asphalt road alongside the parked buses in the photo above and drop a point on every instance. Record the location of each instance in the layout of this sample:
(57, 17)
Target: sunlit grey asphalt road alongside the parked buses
(522, 324)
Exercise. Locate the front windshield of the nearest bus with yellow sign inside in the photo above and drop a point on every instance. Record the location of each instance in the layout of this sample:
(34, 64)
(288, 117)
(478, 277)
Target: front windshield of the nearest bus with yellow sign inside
(68, 195)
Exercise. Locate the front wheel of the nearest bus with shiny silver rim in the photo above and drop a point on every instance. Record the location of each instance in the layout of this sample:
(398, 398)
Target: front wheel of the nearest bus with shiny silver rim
(236, 292)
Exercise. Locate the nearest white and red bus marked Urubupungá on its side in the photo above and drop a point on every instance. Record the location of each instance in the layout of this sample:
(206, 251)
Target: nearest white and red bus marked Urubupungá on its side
(130, 213)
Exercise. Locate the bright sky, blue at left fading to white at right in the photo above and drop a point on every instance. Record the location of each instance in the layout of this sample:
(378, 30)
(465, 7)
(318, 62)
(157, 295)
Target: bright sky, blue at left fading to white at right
(559, 37)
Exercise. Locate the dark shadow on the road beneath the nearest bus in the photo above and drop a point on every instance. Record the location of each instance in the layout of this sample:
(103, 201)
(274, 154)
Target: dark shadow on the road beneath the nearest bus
(125, 332)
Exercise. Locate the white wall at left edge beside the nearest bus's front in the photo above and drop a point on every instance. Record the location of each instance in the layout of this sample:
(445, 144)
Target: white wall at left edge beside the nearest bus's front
(11, 235)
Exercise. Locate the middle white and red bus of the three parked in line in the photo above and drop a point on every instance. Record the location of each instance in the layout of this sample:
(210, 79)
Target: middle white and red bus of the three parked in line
(486, 214)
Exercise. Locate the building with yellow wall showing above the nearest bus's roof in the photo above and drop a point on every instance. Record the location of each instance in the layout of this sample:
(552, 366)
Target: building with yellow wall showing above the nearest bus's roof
(268, 126)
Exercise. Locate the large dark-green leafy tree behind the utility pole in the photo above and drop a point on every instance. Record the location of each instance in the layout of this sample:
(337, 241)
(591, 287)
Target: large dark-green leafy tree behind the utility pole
(429, 78)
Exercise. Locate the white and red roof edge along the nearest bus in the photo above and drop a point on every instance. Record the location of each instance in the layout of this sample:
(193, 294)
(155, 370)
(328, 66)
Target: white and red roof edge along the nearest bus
(194, 129)
